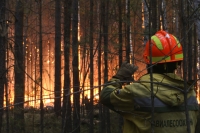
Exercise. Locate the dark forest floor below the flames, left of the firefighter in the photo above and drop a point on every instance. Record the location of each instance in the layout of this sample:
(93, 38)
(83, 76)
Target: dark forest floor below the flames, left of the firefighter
(53, 124)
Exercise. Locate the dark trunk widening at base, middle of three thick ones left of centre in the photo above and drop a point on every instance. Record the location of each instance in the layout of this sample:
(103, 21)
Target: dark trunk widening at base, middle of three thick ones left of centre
(66, 109)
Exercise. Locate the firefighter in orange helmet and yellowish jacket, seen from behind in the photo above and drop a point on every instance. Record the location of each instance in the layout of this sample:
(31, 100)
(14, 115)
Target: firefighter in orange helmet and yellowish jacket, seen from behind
(165, 91)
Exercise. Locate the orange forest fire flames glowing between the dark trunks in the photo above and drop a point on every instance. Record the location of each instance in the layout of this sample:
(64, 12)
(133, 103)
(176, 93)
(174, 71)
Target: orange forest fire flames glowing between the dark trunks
(32, 77)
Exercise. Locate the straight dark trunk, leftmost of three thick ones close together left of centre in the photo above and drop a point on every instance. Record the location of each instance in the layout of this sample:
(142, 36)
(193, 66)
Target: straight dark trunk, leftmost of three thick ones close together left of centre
(57, 86)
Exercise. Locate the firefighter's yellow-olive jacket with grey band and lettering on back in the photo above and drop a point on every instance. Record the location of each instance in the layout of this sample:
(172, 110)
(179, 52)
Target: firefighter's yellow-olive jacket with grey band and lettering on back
(134, 103)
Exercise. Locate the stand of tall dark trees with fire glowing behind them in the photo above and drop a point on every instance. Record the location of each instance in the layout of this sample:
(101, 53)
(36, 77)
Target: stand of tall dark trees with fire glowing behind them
(66, 50)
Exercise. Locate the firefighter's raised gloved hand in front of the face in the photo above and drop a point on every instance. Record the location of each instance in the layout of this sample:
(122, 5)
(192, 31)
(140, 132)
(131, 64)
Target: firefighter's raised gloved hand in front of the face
(126, 71)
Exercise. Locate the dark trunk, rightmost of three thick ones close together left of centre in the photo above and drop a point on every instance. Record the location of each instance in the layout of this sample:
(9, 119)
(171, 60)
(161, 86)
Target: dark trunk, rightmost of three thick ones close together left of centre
(75, 65)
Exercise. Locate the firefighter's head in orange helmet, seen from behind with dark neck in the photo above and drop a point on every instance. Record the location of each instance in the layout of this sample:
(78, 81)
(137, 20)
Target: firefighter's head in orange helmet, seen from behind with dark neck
(165, 52)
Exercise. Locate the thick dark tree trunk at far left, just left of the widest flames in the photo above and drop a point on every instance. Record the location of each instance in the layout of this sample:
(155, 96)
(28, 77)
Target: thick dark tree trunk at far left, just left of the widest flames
(19, 69)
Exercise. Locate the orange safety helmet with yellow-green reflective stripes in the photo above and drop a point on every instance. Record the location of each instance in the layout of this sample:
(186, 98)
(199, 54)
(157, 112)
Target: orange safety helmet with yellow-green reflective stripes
(165, 48)
